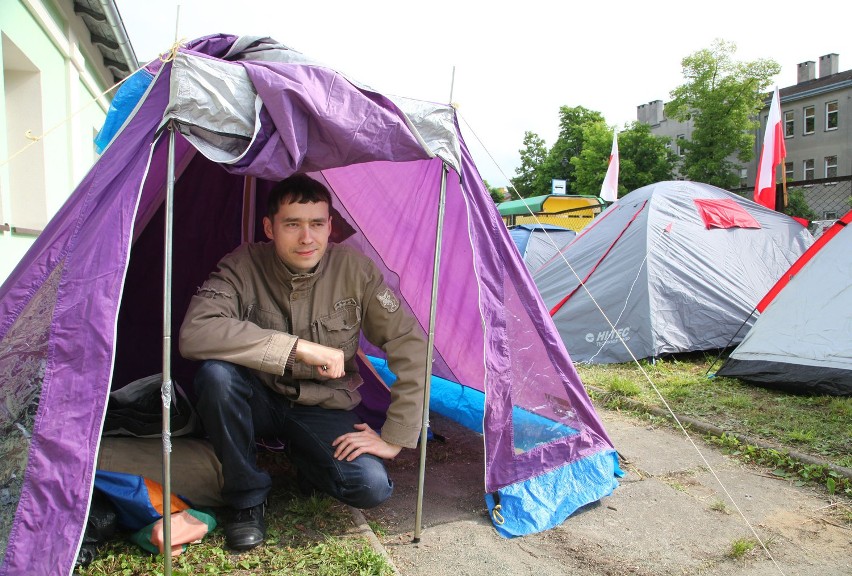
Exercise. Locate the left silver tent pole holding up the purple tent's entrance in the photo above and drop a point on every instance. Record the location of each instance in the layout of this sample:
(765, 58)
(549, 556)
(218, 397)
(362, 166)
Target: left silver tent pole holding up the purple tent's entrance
(166, 389)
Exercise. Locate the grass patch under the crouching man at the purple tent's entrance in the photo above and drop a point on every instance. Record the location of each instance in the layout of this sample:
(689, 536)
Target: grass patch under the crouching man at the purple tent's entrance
(304, 536)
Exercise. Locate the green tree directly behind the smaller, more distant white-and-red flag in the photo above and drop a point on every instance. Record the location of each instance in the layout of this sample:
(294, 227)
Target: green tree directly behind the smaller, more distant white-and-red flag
(643, 158)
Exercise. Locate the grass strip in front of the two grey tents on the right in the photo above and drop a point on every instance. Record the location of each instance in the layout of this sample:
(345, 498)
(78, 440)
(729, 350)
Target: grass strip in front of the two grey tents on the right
(819, 426)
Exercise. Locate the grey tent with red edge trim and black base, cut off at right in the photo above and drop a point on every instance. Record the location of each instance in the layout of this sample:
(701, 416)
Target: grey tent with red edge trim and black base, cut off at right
(801, 340)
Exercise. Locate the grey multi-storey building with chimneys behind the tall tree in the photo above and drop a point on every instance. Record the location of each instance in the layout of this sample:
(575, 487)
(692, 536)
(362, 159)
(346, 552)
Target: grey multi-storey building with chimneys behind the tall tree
(817, 118)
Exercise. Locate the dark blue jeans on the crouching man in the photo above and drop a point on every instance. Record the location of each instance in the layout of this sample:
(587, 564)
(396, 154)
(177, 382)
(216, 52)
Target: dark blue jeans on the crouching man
(236, 407)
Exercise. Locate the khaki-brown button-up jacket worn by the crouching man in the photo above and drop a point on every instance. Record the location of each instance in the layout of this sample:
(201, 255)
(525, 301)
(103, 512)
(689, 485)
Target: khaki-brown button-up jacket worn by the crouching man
(252, 310)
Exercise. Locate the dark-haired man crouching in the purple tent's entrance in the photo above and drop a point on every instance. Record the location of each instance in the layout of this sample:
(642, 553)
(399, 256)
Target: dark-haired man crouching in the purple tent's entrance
(277, 325)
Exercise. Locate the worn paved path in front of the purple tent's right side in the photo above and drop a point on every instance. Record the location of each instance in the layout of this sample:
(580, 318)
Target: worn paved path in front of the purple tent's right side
(669, 516)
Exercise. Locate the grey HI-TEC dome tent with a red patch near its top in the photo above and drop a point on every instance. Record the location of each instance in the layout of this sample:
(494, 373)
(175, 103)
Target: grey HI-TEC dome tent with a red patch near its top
(676, 266)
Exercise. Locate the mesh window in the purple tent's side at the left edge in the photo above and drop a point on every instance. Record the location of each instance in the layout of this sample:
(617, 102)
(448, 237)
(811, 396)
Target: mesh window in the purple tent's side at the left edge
(23, 358)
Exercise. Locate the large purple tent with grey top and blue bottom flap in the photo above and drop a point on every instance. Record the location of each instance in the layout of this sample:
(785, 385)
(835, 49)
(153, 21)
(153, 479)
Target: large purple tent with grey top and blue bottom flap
(83, 312)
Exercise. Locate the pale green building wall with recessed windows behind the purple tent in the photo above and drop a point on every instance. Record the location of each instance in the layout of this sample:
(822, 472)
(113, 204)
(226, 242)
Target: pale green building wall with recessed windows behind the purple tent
(59, 58)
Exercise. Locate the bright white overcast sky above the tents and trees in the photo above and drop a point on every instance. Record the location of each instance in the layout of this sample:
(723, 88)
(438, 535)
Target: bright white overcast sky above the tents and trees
(516, 62)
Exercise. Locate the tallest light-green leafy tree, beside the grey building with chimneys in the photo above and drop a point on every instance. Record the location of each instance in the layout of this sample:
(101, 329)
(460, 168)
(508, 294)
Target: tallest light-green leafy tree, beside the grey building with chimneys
(722, 98)
